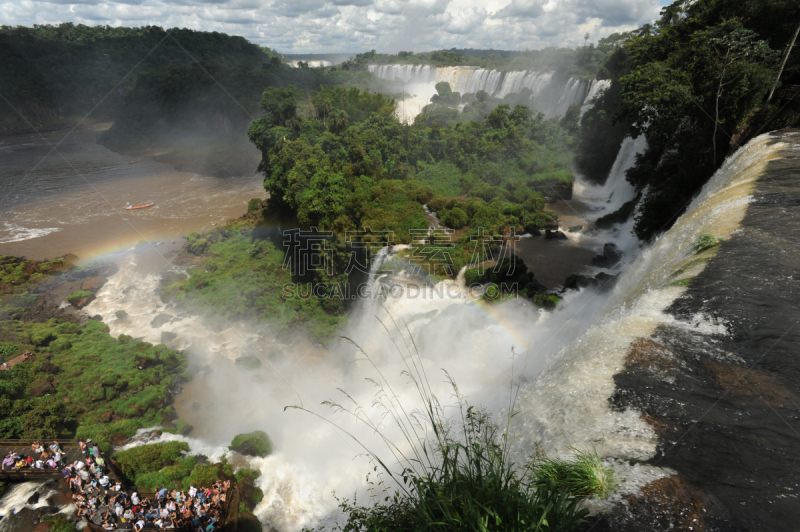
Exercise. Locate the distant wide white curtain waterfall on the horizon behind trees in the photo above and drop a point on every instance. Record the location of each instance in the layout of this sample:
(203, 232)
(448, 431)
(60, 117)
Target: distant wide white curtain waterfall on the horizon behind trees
(551, 94)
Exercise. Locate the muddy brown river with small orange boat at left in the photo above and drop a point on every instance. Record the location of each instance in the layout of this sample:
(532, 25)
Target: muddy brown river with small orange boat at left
(71, 199)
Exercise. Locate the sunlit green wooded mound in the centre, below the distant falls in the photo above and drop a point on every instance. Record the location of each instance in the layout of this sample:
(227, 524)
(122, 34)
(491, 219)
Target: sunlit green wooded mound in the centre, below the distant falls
(352, 164)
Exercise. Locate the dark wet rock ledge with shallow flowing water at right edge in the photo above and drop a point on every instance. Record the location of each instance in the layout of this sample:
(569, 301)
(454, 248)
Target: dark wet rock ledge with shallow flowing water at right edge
(724, 401)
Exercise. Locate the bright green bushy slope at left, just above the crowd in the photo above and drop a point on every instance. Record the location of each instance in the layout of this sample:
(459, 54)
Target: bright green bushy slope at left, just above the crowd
(82, 382)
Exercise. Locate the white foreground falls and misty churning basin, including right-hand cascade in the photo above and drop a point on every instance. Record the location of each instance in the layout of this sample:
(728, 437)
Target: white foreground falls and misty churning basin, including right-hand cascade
(565, 358)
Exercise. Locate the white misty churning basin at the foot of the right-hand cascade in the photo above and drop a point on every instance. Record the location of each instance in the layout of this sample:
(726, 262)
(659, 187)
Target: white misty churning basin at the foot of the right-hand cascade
(488, 350)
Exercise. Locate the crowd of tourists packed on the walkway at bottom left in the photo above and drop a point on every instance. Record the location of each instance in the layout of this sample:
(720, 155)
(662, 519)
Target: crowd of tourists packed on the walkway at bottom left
(107, 504)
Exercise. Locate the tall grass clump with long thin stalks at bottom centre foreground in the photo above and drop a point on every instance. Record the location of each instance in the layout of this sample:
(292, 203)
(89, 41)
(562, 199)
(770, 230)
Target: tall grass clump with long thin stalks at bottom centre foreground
(456, 474)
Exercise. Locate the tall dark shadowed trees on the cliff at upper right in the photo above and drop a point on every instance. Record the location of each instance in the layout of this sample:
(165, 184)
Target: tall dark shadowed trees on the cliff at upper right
(695, 83)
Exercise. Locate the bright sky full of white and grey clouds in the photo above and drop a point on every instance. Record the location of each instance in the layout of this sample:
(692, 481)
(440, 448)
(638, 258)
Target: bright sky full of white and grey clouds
(328, 26)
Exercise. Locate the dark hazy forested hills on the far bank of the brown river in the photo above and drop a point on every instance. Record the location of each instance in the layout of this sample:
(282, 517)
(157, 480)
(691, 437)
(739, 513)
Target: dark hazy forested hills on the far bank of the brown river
(189, 93)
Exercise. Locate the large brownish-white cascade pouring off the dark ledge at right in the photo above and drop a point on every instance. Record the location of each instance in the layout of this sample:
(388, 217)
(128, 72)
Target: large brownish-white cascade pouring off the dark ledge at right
(569, 401)
